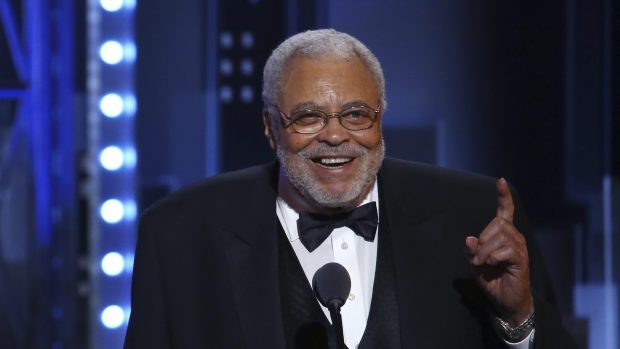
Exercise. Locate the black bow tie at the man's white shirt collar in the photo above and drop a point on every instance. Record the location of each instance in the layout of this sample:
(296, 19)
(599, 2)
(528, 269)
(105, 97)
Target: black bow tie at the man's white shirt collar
(314, 228)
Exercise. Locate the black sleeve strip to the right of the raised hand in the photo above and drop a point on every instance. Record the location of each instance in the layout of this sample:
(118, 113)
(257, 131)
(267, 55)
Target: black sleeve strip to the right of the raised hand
(550, 333)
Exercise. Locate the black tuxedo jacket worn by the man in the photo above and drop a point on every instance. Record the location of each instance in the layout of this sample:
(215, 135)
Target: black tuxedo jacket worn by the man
(206, 266)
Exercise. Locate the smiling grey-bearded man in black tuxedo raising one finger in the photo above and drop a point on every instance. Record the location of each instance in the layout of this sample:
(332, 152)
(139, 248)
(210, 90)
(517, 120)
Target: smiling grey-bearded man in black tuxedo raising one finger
(227, 263)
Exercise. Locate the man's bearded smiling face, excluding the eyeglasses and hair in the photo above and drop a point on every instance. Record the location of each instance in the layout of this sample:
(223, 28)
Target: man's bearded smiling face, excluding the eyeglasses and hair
(334, 168)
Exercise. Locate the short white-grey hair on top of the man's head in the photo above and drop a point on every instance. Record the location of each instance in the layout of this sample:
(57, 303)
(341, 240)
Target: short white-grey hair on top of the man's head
(318, 43)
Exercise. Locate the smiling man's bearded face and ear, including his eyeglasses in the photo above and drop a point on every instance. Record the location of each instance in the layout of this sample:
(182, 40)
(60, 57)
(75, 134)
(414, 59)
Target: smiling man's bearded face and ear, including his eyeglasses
(331, 162)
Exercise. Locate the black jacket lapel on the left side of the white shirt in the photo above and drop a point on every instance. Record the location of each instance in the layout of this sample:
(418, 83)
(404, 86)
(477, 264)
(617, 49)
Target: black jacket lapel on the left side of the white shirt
(253, 265)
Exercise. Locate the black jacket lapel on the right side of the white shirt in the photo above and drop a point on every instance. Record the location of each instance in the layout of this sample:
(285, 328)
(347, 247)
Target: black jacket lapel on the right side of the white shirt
(416, 232)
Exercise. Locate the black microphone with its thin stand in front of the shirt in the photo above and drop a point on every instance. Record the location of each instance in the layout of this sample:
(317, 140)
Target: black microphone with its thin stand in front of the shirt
(331, 285)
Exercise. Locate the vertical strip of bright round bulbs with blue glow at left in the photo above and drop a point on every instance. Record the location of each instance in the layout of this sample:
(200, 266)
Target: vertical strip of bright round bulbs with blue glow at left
(111, 123)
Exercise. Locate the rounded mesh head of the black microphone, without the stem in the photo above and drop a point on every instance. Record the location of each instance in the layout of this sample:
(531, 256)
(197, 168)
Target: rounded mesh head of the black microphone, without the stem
(331, 285)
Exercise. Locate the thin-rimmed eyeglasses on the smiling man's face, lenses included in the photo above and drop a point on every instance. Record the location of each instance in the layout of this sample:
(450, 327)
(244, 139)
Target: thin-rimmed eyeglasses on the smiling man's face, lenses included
(309, 121)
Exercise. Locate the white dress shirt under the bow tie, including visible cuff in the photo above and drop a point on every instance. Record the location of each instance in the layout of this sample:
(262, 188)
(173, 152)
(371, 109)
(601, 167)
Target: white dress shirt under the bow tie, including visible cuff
(359, 257)
